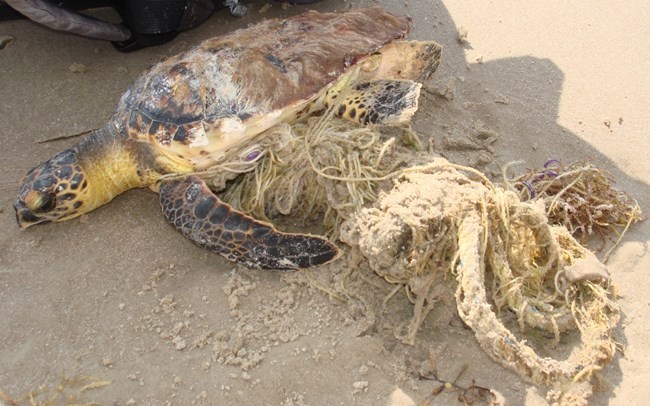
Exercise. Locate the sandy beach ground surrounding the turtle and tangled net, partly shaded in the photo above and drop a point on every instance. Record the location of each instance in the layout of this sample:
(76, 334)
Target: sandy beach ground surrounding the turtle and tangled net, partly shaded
(119, 308)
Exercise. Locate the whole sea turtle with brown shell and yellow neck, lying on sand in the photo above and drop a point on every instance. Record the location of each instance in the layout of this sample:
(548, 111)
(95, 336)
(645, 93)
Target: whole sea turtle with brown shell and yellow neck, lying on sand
(205, 106)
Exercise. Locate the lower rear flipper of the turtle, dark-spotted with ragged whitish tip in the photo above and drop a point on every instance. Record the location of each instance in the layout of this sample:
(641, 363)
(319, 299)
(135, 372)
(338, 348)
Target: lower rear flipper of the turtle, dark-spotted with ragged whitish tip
(382, 101)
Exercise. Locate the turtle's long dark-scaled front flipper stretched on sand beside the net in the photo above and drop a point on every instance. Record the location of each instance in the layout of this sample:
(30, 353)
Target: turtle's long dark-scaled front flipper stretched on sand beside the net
(195, 211)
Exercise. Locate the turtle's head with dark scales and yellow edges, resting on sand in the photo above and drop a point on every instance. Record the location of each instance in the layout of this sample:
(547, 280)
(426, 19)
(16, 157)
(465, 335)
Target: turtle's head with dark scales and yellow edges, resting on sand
(53, 191)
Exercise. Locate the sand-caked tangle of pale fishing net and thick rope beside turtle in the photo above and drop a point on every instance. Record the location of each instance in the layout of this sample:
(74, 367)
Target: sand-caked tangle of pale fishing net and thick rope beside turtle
(419, 221)
